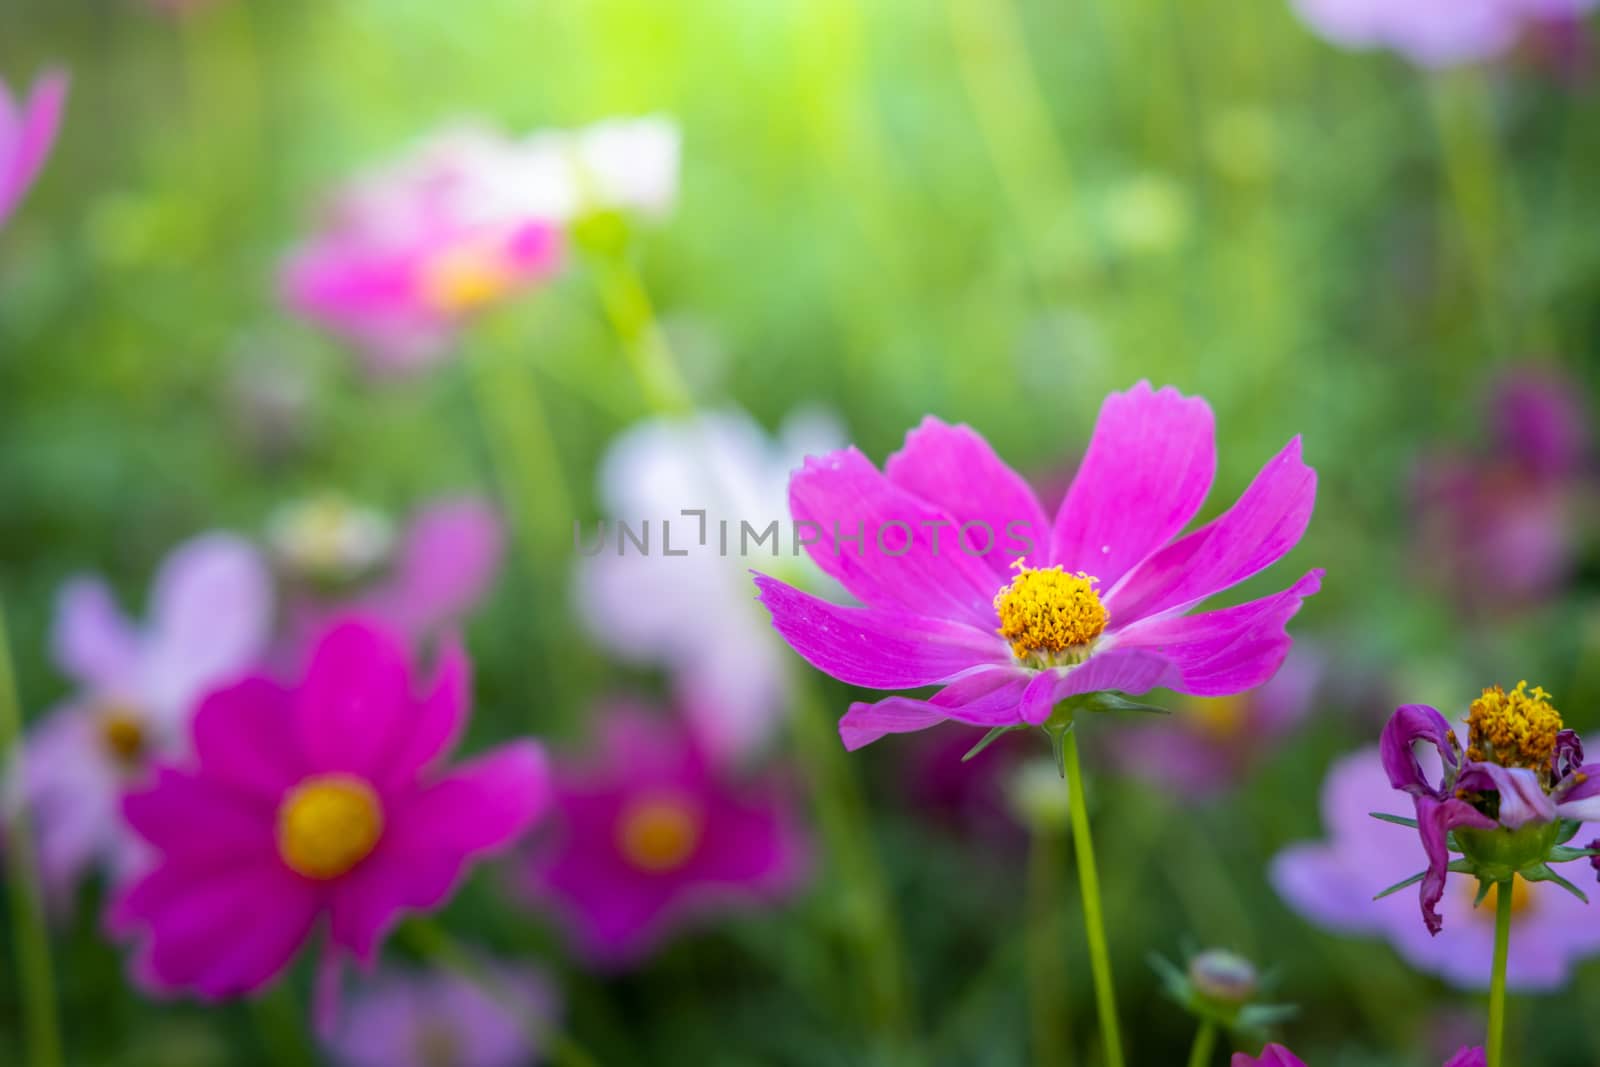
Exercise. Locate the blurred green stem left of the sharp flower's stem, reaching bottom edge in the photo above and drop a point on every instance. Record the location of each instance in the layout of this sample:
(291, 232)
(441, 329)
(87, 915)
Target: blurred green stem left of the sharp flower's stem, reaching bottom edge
(842, 817)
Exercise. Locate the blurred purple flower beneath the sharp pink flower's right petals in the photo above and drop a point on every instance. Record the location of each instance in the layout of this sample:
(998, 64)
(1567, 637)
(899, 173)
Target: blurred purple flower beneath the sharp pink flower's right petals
(1212, 743)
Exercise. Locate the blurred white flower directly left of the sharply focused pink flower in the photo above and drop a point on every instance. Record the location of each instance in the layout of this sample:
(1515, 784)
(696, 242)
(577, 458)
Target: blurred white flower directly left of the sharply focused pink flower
(695, 613)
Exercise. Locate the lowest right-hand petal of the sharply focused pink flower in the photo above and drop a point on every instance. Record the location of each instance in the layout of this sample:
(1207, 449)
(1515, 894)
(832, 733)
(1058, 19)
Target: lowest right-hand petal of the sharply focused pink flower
(1225, 652)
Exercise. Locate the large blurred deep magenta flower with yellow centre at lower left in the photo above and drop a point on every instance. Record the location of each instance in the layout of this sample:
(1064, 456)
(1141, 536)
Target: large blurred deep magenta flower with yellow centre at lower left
(316, 805)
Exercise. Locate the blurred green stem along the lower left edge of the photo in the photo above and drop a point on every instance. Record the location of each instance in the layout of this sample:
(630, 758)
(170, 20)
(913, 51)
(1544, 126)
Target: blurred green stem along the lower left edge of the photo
(28, 906)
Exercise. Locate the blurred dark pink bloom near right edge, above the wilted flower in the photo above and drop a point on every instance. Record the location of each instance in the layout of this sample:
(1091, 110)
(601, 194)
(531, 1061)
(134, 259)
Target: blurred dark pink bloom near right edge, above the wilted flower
(1513, 508)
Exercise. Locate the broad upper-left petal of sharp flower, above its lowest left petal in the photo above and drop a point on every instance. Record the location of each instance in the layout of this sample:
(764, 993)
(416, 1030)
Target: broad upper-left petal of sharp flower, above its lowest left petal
(895, 564)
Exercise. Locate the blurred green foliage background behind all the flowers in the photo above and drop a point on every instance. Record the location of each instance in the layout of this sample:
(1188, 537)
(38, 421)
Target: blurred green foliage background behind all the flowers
(996, 212)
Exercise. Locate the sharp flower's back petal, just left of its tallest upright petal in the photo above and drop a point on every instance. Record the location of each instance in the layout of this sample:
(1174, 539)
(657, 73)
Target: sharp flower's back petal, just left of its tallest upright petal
(954, 470)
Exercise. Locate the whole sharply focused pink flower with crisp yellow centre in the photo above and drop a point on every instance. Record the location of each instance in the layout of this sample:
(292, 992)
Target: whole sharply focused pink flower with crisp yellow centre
(967, 586)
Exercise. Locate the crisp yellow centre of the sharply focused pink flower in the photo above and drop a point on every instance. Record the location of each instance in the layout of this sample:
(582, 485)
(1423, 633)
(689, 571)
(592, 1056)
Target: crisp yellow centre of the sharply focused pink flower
(1050, 617)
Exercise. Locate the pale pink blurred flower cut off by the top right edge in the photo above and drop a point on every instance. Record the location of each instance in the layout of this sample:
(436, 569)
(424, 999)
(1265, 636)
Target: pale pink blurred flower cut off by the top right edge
(1434, 33)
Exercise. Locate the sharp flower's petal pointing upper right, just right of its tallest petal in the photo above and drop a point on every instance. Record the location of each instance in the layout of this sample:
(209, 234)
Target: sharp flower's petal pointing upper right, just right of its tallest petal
(1262, 527)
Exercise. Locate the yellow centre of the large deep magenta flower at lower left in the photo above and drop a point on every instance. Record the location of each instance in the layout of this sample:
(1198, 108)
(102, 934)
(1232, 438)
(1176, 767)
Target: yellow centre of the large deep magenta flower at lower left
(329, 825)
